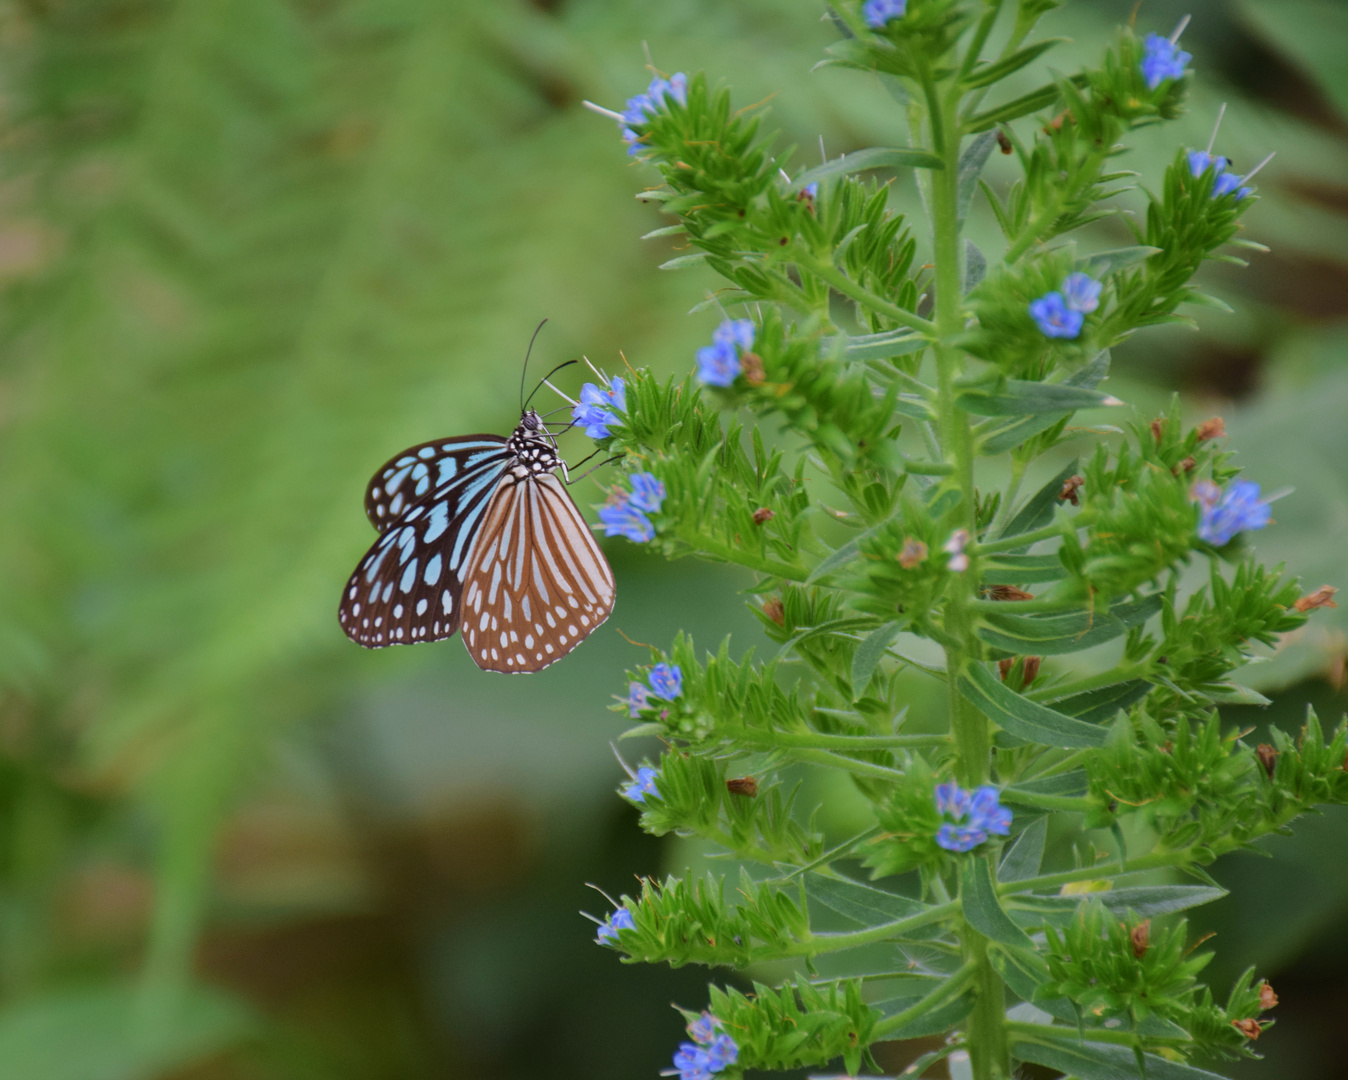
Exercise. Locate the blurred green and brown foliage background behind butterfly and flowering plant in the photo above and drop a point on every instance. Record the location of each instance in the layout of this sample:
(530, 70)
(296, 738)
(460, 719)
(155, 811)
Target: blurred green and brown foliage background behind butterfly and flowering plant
(249, 250)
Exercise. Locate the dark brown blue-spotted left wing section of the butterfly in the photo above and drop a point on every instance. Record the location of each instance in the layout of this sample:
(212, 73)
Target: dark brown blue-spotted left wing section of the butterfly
(409, 586)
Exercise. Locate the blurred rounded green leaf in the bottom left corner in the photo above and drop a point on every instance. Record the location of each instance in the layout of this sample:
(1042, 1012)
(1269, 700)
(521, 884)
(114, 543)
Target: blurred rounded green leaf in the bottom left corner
(96, 1035)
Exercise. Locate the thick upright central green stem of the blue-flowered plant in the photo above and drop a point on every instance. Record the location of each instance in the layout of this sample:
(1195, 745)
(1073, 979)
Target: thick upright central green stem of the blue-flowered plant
(970, 730)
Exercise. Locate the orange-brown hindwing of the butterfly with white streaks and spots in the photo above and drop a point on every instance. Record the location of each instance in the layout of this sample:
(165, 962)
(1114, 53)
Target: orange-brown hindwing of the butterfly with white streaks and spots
(537, 583)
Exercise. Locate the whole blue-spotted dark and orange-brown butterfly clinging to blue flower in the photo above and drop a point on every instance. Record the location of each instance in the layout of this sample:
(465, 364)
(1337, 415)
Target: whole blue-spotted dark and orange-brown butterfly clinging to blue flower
(479, 533)
